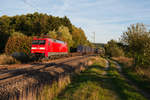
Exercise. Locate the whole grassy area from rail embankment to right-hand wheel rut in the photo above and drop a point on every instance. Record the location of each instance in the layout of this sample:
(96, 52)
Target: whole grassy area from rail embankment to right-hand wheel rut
(99, 83)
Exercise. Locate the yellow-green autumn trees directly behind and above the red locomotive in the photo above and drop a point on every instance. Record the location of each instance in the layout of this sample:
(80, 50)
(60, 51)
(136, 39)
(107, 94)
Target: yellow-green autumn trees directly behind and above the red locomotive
(74, 38)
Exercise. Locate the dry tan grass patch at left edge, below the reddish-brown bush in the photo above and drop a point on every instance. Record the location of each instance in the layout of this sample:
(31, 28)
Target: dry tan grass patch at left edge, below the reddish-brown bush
(5, 59)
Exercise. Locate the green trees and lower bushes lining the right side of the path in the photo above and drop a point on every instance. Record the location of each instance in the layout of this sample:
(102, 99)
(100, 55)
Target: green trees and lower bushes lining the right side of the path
(134, 43)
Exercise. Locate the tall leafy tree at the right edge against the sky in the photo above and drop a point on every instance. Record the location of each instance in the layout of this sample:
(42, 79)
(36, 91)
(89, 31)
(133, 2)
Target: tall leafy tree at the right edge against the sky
(137, 38)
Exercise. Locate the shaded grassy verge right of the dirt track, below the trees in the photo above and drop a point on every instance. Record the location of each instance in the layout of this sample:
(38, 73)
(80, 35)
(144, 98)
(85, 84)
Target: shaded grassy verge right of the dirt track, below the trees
(140, 76)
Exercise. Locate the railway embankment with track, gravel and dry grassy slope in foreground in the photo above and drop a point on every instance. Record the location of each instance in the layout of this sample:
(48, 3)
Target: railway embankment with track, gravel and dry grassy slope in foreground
(31, 83)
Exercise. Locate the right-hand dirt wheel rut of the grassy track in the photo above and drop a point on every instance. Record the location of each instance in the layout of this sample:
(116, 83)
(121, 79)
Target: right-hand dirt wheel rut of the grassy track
(131, 83)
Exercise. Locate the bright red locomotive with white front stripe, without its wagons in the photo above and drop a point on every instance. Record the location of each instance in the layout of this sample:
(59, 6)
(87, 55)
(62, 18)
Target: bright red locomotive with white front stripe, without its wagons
(48, 47)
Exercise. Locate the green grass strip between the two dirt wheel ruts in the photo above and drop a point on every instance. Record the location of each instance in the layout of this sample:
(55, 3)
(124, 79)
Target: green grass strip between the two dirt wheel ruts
(125, 91)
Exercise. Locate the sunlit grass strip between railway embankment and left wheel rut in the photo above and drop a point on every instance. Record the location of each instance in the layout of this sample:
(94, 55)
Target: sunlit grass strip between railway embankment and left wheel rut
(89, 85)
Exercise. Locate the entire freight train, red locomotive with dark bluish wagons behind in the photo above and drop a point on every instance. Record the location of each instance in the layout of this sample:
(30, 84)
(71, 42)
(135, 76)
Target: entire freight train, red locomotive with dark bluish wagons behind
(47, 47)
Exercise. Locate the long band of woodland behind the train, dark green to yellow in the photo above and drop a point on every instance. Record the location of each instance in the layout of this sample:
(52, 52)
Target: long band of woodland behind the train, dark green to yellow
(38, 24)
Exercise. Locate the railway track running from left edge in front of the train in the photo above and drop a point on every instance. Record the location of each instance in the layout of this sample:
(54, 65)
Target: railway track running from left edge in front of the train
(13, 76)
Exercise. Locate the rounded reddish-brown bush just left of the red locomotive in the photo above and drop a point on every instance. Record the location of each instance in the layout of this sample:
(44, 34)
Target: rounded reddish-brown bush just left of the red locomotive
(18, 43)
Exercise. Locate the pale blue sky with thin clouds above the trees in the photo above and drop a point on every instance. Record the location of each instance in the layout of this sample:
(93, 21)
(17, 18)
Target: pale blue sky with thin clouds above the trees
(107, 18)
